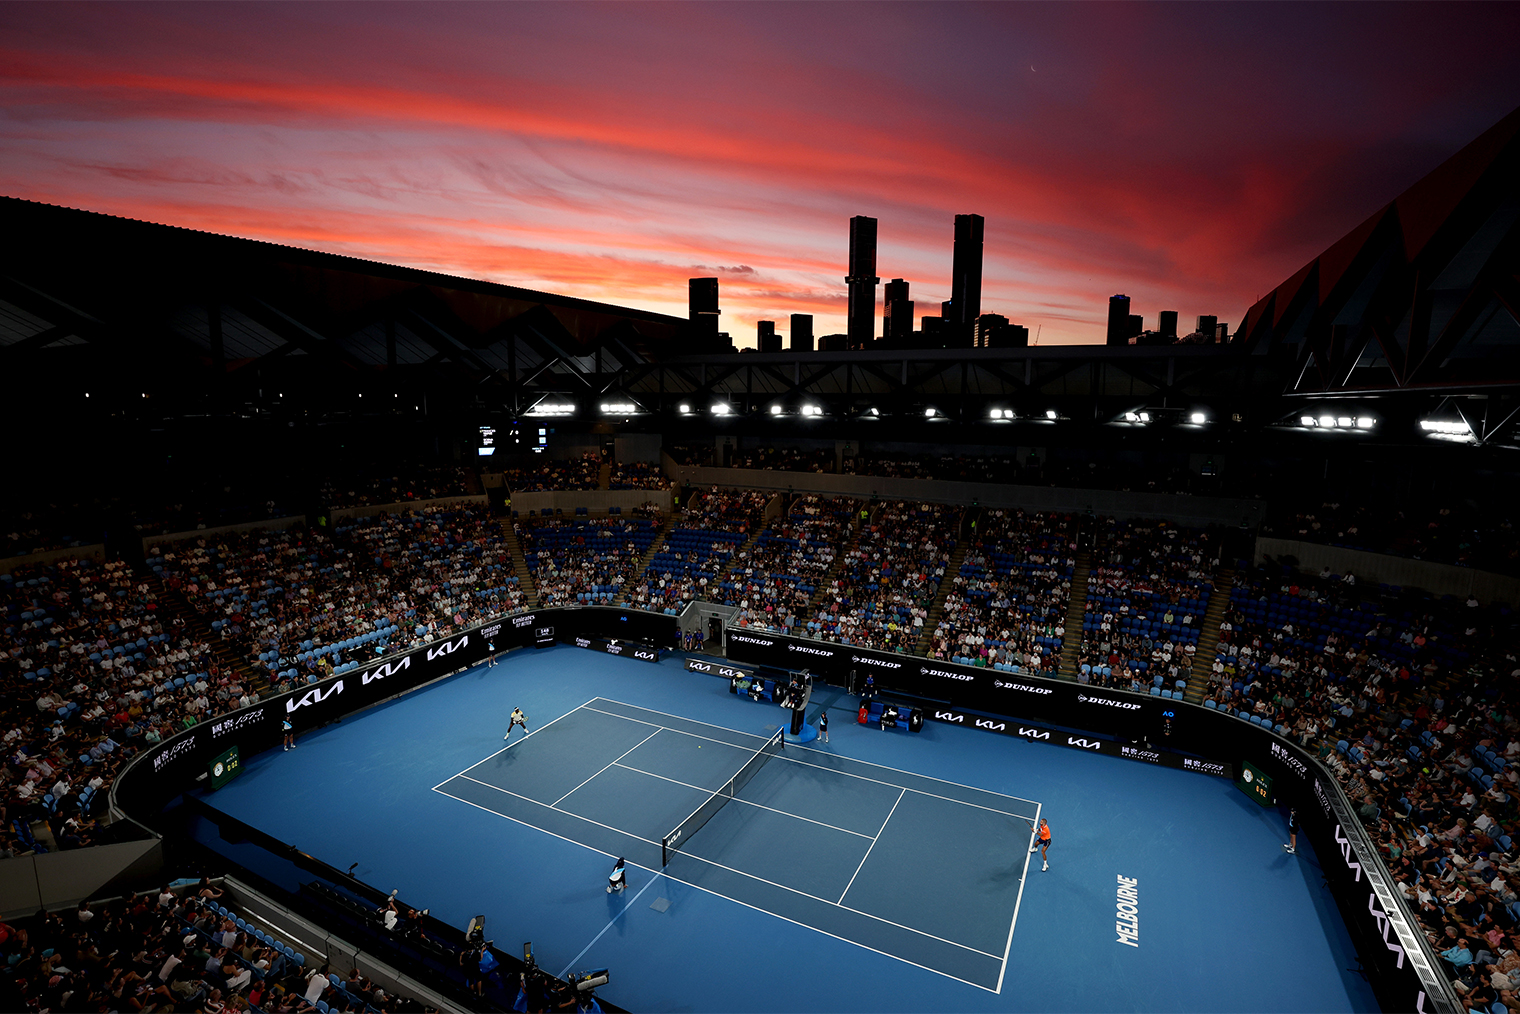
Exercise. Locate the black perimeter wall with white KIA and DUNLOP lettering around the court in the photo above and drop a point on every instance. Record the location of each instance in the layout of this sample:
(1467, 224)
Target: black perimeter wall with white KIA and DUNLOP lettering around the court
(1399, 963)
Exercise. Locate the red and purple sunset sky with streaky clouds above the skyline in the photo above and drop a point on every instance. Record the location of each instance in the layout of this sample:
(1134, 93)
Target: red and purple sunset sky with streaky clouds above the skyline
(1191, 156)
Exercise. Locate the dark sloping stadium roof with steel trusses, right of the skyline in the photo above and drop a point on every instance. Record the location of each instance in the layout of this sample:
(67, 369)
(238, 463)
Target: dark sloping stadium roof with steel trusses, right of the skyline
(1422, 297)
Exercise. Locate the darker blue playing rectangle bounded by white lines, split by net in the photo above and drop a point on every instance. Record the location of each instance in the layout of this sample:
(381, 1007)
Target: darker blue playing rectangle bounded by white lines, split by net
(922, 870)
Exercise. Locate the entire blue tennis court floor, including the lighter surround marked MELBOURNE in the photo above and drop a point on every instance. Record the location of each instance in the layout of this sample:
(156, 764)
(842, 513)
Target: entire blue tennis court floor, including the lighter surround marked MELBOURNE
(809, 892)
